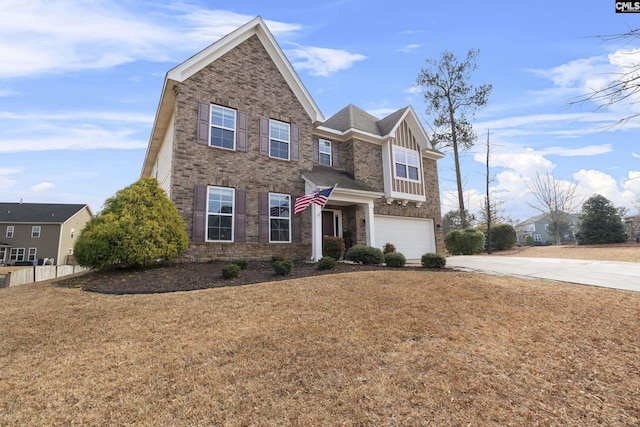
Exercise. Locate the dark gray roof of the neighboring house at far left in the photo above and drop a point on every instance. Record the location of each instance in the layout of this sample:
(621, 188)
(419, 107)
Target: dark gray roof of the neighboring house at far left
(38, 212)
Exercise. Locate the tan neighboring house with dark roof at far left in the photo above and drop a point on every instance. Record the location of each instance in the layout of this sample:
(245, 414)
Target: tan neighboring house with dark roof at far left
(33, 232)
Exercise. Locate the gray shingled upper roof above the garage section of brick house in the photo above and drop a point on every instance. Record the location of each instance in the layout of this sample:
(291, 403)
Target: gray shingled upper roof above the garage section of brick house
(352, 117)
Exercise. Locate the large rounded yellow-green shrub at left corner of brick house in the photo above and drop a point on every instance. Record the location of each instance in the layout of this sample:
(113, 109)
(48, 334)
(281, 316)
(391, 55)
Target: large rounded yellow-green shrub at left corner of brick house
(138, 227)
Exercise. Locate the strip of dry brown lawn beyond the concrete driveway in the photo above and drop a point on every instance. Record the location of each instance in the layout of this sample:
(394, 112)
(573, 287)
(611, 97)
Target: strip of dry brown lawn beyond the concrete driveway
(622, 252)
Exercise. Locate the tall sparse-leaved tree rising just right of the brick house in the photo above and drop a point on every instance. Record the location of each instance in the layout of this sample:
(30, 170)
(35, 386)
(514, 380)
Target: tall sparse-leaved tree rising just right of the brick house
(450, 96)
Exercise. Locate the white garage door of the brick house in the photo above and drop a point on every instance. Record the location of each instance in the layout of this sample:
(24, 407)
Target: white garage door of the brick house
(413, 237)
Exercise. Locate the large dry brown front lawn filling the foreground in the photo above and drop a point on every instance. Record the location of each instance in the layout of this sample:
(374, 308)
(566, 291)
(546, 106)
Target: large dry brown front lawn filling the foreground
(376, 348)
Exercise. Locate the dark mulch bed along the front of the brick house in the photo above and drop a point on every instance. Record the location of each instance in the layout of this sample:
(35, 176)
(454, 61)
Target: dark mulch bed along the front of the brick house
(193, 276)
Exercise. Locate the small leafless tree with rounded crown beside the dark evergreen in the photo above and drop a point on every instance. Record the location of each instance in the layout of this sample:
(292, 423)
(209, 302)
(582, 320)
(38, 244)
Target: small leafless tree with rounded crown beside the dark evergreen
(554, 197)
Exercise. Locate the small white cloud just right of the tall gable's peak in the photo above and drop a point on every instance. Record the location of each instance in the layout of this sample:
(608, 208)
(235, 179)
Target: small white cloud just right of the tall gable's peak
(321, 61)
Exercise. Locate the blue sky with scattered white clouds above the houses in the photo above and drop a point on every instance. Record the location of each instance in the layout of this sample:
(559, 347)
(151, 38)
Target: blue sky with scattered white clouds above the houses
(80, 83)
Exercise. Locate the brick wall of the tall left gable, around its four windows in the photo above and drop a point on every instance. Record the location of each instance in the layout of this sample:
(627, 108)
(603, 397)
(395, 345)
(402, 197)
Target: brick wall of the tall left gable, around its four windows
(247, 80)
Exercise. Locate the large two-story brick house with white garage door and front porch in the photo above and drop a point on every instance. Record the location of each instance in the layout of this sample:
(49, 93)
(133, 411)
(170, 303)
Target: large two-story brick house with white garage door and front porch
(237, 138)
